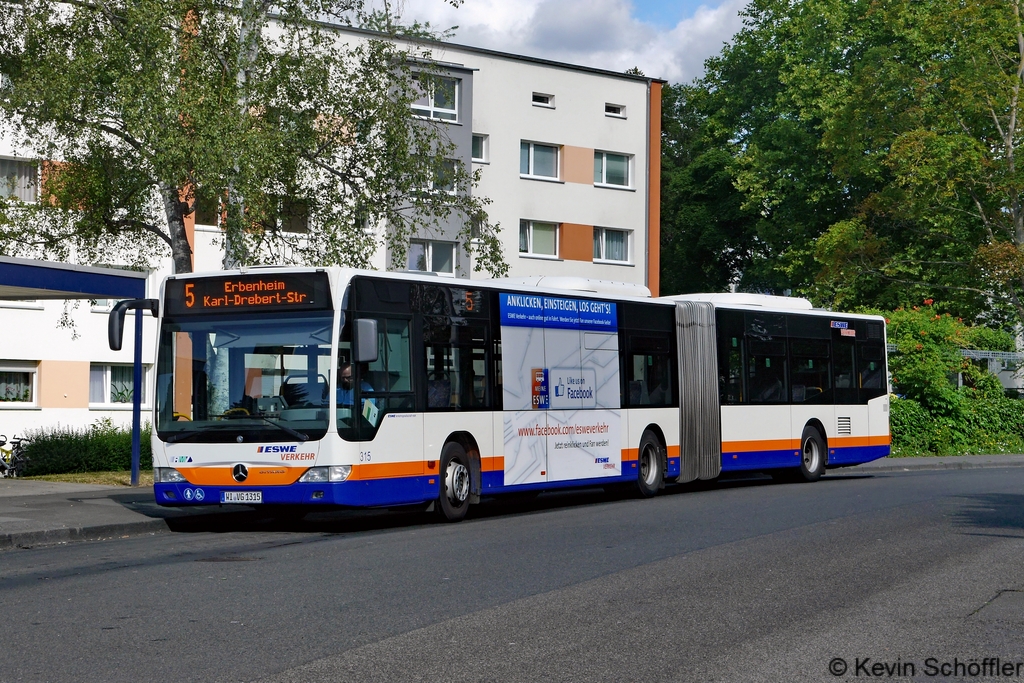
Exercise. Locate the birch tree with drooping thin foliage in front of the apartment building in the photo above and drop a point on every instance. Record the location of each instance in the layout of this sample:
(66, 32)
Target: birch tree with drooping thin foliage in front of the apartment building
(261, 109)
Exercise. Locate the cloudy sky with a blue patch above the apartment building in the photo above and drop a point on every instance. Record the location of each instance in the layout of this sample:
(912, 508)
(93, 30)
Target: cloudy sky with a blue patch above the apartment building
(668, 39)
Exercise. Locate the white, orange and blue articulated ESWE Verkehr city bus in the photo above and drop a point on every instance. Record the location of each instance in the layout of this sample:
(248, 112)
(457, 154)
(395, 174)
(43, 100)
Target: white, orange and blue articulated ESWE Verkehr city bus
(309, 389)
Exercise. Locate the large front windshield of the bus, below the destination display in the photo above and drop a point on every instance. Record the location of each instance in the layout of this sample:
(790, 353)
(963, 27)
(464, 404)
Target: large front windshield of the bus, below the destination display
(228, 379)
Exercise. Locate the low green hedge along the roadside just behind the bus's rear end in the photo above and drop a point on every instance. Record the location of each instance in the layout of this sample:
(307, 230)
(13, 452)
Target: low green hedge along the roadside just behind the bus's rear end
(973, 426)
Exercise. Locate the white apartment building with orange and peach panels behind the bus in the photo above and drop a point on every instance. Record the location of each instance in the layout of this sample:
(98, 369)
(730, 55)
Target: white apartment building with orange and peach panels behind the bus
(569, 156)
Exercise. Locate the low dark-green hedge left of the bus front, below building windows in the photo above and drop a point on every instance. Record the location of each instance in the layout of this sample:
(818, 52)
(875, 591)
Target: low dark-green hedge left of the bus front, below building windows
(101, 448)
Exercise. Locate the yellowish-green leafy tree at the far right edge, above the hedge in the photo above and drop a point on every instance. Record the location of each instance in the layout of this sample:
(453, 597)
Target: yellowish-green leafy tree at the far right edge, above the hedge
(932, 114)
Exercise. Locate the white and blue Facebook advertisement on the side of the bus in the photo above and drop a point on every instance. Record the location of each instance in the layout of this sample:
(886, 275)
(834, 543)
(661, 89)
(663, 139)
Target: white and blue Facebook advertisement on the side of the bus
(562, 389)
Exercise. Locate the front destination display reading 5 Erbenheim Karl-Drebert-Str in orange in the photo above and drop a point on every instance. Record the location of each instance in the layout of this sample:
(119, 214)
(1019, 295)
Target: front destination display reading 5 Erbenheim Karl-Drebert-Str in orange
(248, 293)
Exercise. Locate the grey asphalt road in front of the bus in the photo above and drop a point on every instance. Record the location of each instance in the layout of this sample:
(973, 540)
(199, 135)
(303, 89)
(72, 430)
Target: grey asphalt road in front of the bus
(743, 581)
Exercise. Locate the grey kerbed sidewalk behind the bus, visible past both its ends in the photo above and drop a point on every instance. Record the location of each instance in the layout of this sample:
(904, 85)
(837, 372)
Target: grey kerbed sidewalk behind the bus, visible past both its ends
(35, 514)
